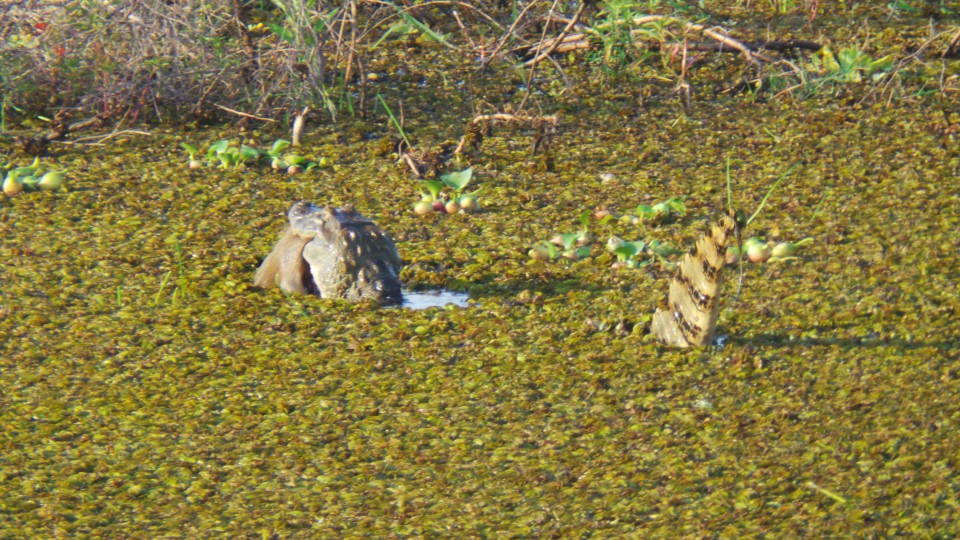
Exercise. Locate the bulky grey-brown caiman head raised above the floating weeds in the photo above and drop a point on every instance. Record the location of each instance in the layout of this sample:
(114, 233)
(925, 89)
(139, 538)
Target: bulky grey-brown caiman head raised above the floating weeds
(333, 253)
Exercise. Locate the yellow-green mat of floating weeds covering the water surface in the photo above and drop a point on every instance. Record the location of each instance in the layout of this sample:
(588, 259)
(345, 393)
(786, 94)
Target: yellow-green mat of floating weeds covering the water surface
(148, 390)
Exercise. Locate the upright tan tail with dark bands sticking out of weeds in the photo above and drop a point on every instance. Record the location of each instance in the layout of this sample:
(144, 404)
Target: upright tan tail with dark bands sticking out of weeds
(689, 317)
